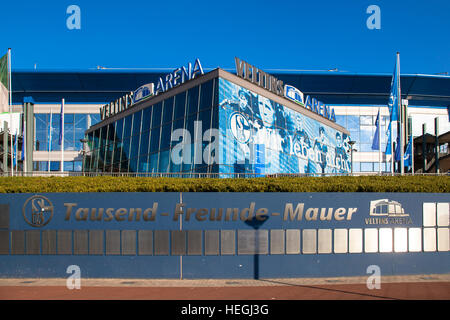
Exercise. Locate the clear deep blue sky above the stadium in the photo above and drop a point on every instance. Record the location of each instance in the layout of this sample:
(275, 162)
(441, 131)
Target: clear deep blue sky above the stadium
(305, 35)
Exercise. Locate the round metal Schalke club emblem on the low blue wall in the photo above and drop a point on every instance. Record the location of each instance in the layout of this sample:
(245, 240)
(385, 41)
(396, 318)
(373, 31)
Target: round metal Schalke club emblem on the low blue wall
(37, 211)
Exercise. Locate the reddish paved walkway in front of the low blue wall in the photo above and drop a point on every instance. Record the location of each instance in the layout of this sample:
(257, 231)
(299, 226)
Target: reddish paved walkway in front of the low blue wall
(435, 287)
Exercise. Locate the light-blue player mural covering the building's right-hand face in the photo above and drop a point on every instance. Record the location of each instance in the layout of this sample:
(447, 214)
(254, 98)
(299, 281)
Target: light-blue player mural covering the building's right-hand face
(259, 135)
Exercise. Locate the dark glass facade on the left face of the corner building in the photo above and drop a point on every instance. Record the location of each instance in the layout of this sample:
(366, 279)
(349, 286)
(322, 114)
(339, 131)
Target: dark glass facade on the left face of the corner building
(143, 141)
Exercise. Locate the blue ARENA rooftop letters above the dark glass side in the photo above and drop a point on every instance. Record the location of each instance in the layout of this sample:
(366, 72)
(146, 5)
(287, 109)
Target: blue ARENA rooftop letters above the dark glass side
(179, 76)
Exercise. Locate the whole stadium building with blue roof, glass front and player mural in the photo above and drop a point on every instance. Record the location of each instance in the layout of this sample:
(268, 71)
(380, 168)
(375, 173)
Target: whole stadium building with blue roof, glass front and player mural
(261, 130)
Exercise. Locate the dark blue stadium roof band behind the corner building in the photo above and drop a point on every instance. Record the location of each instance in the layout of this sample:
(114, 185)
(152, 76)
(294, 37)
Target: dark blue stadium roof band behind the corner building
(102, 86)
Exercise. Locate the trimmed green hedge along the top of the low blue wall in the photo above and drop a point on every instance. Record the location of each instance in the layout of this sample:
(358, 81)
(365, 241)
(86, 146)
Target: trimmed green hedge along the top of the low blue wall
(436, 184)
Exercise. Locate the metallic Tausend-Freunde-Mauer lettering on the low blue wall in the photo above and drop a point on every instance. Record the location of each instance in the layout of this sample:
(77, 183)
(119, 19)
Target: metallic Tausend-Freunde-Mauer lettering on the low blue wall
(291, 212)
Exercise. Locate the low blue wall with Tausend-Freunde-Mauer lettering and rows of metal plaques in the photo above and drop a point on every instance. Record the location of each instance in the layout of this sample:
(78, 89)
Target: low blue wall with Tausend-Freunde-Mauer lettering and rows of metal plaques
(223, 235)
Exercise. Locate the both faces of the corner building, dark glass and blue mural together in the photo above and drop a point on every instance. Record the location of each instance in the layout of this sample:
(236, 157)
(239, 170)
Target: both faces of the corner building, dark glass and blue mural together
(217, 127)
